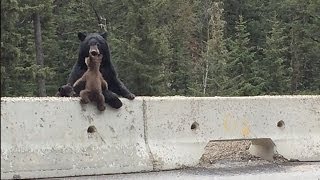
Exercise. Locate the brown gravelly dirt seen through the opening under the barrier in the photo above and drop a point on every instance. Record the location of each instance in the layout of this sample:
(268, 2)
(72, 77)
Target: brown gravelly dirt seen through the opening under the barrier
(219, 152)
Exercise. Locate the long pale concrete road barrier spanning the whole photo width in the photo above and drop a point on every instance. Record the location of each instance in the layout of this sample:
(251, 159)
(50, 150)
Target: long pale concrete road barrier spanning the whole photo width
(54, 137)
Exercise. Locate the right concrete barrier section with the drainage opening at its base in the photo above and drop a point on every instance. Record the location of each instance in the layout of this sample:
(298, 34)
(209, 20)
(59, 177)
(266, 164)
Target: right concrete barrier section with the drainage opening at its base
(179, 128)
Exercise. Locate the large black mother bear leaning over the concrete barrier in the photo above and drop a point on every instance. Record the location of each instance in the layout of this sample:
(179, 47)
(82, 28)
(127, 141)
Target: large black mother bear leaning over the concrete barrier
(91, 41)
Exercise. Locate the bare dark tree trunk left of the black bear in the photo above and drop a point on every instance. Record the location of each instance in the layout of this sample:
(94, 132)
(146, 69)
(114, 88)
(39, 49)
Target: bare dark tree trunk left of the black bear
(39, 53)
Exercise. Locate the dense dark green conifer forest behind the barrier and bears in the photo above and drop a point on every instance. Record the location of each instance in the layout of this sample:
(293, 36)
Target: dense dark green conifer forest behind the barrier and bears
(167, 47)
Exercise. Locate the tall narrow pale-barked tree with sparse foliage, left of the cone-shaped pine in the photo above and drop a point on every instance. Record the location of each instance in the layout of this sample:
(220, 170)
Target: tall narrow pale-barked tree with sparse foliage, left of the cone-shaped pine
(215, 54)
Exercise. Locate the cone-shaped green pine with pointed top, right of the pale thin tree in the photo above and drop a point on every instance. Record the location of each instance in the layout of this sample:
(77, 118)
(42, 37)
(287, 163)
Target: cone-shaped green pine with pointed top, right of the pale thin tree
(242, 67)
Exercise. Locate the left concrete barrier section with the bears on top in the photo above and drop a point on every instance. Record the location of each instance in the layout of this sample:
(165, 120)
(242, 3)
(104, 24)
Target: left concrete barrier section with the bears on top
(47, 137)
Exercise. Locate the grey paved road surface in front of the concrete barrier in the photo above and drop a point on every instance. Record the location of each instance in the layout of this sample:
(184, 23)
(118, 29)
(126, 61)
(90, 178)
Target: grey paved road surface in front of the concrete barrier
(227, 171)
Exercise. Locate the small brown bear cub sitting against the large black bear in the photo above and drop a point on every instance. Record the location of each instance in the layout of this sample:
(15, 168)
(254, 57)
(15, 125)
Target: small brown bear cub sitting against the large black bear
(94, 82)
